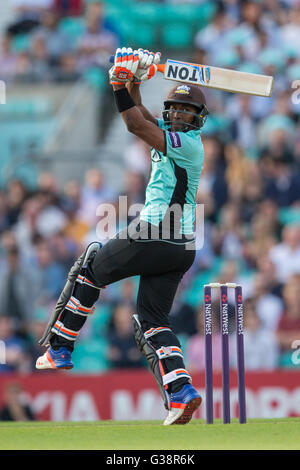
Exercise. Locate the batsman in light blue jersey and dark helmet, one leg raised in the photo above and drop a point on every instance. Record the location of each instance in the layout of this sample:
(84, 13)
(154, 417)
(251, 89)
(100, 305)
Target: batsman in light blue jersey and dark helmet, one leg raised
(159, 246)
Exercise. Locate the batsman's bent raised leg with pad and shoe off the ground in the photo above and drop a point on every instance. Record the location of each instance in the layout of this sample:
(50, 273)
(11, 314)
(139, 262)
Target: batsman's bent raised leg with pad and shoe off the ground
(120, 258)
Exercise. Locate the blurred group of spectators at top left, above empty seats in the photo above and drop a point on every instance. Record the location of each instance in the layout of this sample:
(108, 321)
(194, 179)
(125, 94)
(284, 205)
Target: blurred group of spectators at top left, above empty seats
(39, 46)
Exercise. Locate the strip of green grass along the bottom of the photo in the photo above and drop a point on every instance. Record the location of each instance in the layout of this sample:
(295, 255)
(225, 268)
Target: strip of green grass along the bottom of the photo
(257, 434)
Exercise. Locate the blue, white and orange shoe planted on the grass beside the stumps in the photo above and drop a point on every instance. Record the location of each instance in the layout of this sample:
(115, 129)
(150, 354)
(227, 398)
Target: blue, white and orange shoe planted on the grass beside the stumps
(182, 405)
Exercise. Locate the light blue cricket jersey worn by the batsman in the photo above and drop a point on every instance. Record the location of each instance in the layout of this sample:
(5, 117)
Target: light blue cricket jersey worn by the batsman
(174, 180)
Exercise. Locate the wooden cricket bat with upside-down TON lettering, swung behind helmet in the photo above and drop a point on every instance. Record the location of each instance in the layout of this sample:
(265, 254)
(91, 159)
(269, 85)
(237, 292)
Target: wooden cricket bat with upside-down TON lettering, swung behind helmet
(216, 77)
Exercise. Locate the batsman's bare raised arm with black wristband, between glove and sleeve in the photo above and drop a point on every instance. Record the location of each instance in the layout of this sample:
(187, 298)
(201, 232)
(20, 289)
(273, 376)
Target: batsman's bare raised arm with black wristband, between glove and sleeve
(135, 121)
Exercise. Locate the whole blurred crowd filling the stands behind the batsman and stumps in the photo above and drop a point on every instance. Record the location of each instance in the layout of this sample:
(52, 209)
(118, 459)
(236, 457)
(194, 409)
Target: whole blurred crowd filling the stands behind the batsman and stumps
(250, 188)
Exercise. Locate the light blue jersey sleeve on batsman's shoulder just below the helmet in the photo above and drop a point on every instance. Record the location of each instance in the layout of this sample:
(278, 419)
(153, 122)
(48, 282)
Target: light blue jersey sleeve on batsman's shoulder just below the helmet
(183, 149)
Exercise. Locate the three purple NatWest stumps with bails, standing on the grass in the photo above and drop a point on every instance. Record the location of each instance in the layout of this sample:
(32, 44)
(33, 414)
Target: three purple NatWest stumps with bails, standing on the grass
(224, 321)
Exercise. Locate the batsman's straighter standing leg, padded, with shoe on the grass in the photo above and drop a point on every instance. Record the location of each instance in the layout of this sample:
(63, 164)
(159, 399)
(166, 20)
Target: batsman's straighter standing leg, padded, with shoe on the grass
(162, 348)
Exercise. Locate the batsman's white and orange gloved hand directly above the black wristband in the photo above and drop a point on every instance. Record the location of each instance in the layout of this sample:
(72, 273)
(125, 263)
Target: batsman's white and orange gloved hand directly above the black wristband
(125, 66)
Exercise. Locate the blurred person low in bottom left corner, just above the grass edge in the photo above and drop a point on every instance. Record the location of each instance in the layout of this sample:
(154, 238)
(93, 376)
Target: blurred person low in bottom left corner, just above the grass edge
(15, 406)
